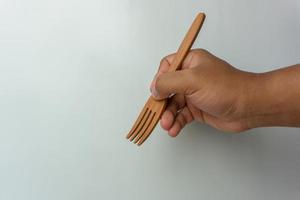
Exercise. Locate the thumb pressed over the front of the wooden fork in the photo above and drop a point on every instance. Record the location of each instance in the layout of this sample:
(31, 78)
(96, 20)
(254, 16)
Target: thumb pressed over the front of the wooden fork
(166, 84)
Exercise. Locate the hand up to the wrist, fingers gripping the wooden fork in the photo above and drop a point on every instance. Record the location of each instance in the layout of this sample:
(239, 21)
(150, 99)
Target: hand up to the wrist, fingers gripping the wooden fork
(206, 89)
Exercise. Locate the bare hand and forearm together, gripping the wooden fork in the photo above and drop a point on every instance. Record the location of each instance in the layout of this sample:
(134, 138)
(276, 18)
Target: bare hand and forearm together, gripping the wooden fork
(209, 90)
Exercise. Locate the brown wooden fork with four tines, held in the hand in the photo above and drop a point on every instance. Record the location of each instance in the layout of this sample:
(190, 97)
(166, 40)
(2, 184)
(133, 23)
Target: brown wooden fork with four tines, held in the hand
(153, 109)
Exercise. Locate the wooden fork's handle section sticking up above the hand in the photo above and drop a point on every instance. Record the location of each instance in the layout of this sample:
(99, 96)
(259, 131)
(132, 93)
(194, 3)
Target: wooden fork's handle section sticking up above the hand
(187, 42)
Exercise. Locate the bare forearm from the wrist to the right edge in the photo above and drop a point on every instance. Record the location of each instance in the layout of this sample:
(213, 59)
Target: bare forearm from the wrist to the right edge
(274, 98)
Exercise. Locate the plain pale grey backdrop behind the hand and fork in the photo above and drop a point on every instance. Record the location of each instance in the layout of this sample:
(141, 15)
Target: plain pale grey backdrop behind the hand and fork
(74, 74)
